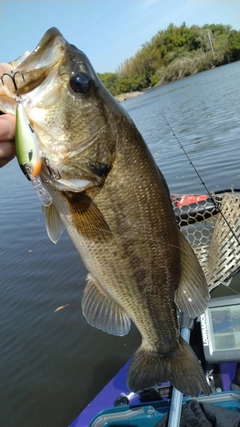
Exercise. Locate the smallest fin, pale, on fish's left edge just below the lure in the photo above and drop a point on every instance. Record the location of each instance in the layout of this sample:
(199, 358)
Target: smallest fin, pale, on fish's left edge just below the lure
(54, 224)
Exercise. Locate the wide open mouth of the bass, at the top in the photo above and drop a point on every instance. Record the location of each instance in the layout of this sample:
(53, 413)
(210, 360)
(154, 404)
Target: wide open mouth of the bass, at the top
(45, 57)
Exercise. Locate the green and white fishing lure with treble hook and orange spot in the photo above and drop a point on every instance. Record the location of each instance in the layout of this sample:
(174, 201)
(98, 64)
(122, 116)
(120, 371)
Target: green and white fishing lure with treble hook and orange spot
(28, 151)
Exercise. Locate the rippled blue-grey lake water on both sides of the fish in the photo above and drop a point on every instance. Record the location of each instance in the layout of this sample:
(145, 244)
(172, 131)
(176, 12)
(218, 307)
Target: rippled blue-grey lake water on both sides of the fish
(52, 362)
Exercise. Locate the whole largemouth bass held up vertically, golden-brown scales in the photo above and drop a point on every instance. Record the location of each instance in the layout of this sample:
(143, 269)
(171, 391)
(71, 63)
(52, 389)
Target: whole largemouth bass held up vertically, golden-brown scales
(114, 202)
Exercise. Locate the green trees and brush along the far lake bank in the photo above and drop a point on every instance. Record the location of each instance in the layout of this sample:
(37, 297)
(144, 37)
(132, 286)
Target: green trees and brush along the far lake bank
(173, 54)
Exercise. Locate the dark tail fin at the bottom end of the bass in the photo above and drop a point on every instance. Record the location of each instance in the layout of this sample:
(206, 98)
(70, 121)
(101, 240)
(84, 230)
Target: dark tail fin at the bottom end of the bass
(182, 369)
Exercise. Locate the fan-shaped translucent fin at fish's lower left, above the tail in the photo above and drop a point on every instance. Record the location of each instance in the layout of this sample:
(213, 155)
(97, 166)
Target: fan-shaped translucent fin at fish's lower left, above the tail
(102, 312)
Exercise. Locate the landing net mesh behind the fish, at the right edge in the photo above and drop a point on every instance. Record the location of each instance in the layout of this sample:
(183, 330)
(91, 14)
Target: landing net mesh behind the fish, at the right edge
(213, 231)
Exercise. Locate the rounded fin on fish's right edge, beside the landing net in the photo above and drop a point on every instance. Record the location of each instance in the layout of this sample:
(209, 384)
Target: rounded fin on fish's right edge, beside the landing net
(192, 294)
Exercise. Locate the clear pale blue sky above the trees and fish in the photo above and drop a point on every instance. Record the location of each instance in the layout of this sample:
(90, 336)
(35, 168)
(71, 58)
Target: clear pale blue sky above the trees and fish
(107, 31)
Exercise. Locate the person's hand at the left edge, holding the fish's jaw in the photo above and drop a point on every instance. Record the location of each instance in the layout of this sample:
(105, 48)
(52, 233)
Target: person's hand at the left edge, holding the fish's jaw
(7, 130)
